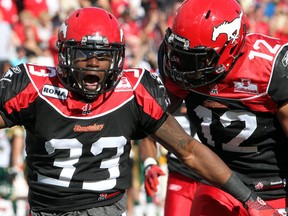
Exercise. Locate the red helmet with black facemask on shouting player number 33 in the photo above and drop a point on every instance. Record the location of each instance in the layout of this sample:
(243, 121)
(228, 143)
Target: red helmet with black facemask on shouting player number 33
(87, 32)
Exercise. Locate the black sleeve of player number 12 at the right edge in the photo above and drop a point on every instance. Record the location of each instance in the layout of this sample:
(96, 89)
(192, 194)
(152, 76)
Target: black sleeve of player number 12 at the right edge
(278, 90)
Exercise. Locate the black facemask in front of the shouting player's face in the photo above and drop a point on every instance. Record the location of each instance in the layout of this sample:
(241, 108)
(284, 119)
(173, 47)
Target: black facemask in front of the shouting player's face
(75, 77)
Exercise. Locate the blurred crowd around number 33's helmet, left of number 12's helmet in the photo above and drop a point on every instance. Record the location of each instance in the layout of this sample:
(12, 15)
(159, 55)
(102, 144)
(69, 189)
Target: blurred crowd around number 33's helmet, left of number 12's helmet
(29, 28)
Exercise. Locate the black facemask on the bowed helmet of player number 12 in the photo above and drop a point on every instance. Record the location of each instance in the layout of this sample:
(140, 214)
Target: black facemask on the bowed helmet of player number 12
(190, 67)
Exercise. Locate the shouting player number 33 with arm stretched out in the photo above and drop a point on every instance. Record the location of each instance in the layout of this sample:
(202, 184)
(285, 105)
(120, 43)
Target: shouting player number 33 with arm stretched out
(81, 116)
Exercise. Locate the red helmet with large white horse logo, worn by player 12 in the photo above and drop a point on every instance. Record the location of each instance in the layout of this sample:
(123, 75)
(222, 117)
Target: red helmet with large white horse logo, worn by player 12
(205, 41)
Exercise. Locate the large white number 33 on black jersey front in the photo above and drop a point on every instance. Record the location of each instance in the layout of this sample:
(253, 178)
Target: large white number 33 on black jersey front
(75, 151)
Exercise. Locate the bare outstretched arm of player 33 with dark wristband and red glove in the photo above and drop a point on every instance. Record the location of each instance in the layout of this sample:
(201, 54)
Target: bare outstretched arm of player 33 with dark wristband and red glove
(209, 166)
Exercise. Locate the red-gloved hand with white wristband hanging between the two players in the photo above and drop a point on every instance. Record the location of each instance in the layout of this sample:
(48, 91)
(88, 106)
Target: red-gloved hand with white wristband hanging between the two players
(152, 172)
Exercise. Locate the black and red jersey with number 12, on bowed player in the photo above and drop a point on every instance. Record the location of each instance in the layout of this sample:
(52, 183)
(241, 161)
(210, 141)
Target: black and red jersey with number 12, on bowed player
(236, 116)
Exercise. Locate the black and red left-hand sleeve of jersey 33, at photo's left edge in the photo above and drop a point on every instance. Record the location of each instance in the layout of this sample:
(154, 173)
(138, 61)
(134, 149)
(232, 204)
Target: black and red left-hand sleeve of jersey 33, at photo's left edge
(12, 84)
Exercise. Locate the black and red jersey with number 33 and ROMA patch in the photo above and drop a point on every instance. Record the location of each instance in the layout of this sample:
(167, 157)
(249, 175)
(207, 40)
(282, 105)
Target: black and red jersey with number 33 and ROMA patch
(77, 150)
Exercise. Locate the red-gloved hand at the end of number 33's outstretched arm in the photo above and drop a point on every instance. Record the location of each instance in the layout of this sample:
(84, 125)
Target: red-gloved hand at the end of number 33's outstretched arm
(258, 207)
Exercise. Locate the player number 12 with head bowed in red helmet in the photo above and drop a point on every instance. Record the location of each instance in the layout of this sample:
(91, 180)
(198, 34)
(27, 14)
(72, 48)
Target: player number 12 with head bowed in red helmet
(235, 89)
